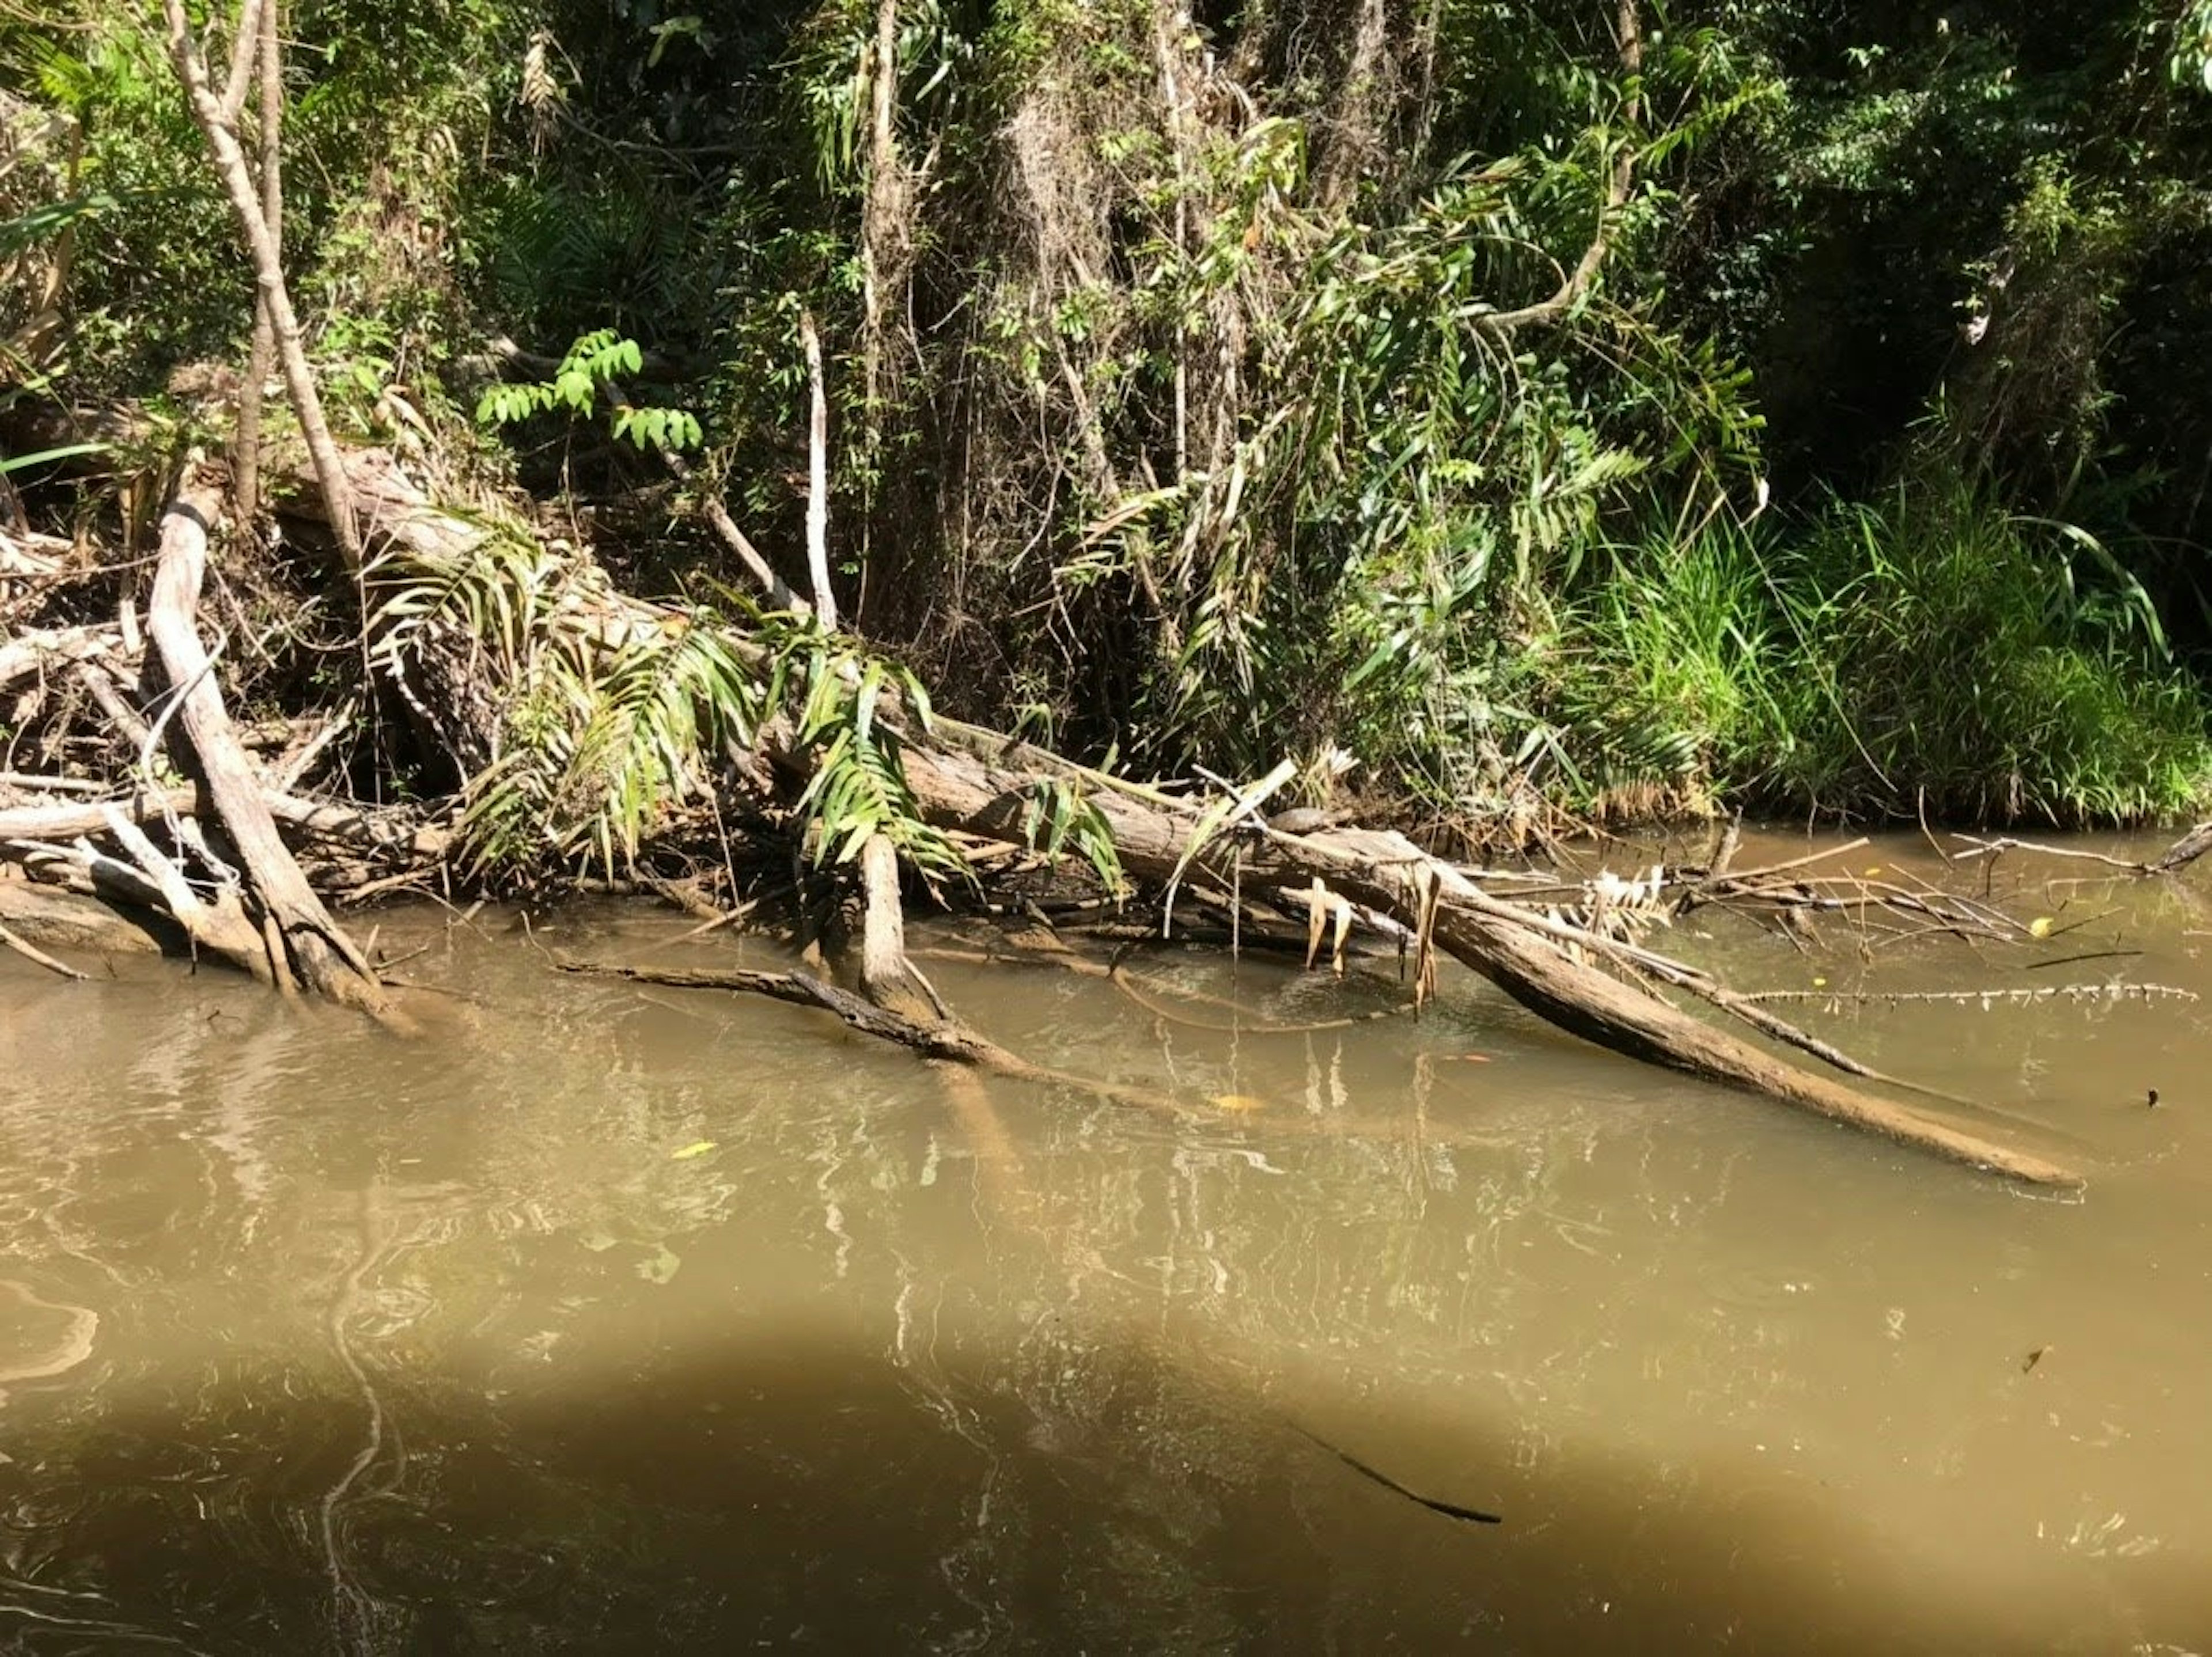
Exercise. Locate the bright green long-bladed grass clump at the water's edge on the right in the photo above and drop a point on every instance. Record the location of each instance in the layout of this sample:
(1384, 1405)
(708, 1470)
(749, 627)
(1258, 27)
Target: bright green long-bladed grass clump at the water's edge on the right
(1917, 654)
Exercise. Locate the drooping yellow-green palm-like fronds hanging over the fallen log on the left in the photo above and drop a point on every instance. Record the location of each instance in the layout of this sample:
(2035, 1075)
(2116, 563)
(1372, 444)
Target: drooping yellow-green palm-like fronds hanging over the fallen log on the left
(609, 725)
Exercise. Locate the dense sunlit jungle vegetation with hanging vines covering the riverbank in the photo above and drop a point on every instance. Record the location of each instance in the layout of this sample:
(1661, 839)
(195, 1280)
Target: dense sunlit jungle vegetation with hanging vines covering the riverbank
(1494, 406)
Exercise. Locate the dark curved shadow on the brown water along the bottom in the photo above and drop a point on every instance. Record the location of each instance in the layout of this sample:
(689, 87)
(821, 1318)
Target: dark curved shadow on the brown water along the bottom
(1070, 1494)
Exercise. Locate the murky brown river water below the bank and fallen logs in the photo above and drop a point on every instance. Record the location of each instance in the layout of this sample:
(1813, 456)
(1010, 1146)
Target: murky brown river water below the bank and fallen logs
(623, 1320)
